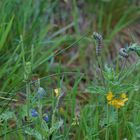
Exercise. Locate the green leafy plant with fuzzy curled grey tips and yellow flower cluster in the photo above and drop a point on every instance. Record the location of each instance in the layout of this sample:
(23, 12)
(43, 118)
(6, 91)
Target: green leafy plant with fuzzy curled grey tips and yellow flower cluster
(113, 89)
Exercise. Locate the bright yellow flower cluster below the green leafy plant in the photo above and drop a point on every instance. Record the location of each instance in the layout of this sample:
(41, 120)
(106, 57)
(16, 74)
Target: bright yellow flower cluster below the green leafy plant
(116, 102)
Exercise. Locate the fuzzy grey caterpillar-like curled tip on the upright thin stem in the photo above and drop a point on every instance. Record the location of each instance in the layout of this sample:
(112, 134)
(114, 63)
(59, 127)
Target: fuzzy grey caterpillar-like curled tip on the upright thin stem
(99, 40)
